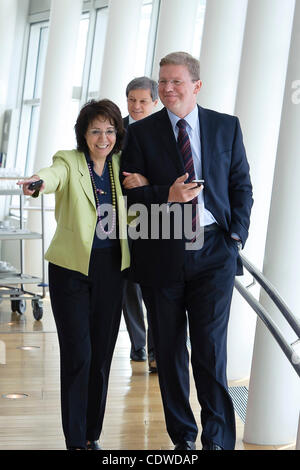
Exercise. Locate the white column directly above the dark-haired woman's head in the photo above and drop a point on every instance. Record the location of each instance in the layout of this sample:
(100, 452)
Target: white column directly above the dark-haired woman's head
(119, 52)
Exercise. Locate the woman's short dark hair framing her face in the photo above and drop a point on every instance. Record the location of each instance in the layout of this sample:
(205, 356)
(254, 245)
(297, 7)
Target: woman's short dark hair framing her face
(92, 110)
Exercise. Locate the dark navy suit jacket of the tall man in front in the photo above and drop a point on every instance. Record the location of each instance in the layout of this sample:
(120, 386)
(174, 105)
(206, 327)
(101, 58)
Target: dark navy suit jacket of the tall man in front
(151, 150)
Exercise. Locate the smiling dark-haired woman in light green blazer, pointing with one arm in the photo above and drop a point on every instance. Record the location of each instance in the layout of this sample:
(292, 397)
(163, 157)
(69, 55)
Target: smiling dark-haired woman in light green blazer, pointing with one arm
(86, 258)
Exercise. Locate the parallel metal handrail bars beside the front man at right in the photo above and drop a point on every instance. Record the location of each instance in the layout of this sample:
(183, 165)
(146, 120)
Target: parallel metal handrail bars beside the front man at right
(287, 348)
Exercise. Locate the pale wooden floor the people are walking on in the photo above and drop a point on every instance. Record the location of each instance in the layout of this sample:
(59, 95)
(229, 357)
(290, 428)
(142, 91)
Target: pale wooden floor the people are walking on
(134, 416)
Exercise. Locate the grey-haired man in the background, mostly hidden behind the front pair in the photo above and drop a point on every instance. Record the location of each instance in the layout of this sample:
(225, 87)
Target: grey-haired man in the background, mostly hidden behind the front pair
(142, 98)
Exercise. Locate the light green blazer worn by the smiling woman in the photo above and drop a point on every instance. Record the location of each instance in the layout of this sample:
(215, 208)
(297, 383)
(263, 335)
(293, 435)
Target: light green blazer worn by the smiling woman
(75, 211)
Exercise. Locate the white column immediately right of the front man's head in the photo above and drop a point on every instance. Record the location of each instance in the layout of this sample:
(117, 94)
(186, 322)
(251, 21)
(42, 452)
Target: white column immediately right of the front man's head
(221, 49)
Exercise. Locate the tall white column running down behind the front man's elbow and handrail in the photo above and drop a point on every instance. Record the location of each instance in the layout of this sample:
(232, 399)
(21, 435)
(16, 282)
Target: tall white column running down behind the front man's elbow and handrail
(258, 106)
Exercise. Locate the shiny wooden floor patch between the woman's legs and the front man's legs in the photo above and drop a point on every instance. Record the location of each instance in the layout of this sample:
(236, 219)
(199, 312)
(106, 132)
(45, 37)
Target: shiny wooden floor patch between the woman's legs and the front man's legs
(134, 414)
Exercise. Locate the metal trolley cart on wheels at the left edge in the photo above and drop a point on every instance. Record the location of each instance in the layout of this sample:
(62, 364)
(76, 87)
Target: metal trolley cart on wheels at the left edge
(12, 283)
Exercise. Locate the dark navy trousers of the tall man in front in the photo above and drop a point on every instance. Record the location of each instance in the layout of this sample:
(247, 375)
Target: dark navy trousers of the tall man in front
(203, 301)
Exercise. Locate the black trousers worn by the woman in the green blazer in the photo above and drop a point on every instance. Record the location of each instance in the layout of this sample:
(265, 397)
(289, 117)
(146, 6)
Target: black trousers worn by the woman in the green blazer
(87, 312)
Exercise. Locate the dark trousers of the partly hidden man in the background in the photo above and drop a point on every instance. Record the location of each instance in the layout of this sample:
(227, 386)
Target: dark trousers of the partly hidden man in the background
(134, 317)
